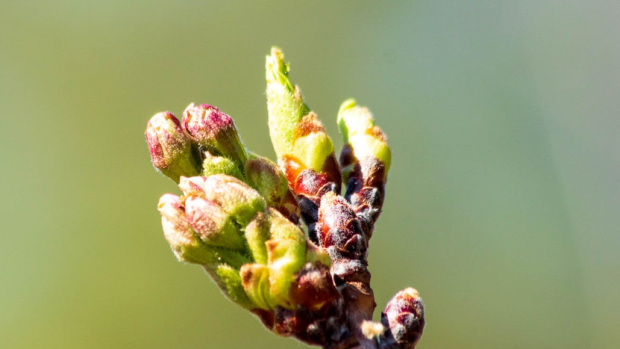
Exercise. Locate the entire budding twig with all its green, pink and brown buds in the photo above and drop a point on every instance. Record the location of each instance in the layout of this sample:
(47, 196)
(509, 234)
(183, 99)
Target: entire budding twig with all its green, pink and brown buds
(239, 217)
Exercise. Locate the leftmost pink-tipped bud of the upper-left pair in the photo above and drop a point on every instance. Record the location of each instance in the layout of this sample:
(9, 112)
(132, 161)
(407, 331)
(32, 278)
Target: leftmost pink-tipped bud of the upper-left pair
(171, 151)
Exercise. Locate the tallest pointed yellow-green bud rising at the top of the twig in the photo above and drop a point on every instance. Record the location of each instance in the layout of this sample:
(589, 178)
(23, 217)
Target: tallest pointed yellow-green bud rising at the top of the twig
(295, 131)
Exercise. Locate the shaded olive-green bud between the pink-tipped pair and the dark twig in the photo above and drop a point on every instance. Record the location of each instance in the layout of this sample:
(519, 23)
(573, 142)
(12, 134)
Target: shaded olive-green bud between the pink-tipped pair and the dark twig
(266, 177)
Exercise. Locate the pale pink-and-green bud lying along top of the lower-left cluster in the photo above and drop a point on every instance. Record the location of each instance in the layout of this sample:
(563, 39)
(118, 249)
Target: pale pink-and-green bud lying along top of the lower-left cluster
(235, 197)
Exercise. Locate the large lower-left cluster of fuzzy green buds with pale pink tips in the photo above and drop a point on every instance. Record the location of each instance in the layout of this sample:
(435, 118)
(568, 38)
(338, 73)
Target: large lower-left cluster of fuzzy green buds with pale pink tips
(253, 252)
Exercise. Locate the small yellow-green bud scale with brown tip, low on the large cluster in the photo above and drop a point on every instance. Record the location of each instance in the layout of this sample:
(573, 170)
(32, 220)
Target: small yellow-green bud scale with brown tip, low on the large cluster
(255, 281)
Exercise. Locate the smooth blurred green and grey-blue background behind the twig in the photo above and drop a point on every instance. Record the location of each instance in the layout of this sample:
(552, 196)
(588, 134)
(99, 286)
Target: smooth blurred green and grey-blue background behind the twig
(503, 199)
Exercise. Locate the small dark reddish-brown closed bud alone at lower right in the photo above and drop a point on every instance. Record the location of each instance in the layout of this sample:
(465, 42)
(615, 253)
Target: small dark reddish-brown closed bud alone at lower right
(404, 315)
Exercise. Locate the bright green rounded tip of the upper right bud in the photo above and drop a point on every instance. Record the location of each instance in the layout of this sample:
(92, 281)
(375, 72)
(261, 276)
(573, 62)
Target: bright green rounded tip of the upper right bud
(358, 129)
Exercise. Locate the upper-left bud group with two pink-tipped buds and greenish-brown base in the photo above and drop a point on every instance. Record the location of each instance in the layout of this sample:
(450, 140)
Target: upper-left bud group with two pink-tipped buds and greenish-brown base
(205, 143)
